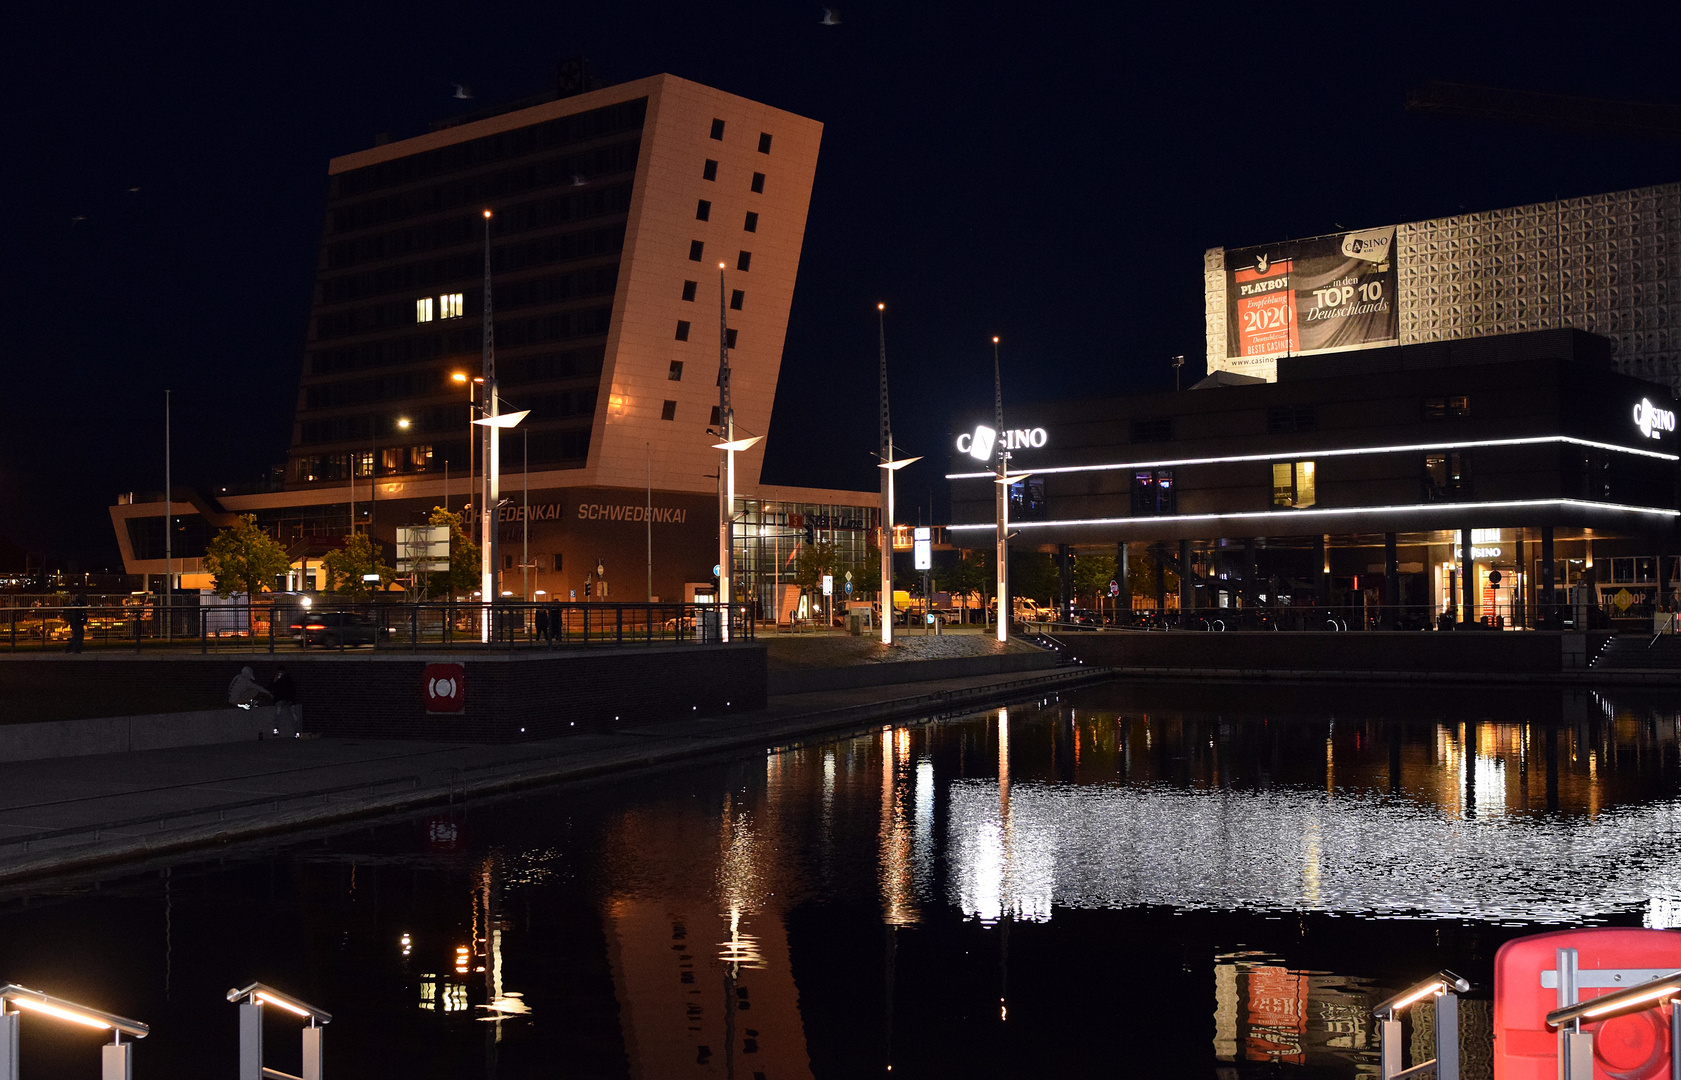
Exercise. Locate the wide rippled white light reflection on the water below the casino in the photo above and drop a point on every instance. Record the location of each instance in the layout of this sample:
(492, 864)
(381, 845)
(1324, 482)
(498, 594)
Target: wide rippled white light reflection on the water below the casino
(1300, 850)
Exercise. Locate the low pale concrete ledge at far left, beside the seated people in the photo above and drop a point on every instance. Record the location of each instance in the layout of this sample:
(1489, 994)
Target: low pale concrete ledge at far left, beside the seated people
(23, 743)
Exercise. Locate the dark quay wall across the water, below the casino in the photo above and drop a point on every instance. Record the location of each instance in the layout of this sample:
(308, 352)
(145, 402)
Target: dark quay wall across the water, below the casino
(1420, 654)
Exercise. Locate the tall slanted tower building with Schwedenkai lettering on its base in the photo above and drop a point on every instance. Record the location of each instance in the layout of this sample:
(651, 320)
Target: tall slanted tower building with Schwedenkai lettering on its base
(611, 213)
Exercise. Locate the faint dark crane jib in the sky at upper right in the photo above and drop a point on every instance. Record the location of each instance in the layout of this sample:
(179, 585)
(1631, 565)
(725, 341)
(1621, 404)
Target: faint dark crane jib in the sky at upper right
(1564, 112)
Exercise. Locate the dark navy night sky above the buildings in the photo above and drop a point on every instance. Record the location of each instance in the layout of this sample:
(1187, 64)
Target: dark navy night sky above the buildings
(1048, 174)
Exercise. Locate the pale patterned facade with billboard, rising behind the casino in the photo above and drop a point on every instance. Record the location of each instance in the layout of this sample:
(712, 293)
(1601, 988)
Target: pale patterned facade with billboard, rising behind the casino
(1610, 265)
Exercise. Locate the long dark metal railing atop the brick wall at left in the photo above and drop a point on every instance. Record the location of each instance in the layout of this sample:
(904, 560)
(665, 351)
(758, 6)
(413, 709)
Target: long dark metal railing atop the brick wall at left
(290, 623)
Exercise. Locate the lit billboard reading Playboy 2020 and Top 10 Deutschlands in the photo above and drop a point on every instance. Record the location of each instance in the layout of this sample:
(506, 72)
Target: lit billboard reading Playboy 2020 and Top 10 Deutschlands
(1310, 297)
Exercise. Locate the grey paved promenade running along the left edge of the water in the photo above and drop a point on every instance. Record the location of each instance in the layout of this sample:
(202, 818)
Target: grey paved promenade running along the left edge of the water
(71, 813)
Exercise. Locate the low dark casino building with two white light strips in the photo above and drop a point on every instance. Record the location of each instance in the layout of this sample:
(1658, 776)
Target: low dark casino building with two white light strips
(1504, 480)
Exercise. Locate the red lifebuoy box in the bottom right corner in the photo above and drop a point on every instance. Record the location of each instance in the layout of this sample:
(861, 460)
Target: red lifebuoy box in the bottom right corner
(1635, 1047)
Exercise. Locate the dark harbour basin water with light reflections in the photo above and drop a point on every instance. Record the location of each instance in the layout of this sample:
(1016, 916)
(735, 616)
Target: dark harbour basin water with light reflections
(1137, 882)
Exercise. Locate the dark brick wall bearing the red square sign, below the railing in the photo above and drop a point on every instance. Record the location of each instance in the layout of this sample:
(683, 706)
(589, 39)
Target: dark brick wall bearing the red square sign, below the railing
(381, 696)
